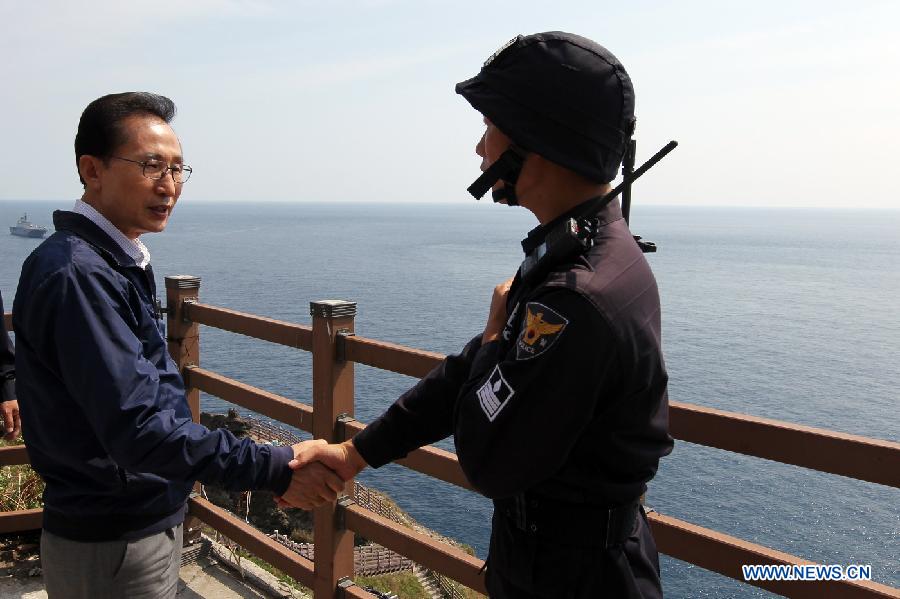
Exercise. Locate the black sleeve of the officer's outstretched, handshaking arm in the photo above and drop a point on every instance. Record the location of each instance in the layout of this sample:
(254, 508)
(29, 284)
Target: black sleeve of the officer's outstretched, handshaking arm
(421, 416)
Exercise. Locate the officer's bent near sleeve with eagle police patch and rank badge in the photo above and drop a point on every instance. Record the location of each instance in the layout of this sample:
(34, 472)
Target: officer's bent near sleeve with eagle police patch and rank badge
(523, 408)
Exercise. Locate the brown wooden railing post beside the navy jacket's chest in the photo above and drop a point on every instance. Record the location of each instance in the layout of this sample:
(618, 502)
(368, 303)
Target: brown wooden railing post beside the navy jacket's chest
(183, 339)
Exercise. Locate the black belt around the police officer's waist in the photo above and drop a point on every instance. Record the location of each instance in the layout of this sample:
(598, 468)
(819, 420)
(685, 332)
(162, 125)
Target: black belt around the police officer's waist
(565, 521)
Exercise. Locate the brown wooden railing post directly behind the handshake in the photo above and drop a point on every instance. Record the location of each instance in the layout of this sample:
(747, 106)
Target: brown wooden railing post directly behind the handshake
(332, 396)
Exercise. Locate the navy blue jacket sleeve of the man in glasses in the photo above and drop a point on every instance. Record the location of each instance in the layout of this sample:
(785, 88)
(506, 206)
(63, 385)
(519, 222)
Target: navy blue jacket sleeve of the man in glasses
(86, 320)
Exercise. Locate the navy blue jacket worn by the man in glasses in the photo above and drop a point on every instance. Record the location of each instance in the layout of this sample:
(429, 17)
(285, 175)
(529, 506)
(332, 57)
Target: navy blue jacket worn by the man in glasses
(103, 406)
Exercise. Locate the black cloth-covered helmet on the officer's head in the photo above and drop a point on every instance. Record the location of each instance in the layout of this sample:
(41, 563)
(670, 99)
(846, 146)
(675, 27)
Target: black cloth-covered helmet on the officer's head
(561, 96)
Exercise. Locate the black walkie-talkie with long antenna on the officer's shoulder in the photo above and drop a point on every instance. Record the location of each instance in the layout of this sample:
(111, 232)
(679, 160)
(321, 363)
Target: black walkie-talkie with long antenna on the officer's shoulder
(576, 234)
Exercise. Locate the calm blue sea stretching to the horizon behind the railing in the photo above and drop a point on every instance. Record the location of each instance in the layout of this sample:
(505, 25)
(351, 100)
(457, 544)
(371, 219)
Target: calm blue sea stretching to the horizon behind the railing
(791, 314)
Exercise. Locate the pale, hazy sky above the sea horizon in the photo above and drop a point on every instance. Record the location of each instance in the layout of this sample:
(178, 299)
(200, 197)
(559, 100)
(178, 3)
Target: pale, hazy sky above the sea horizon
(783, 103)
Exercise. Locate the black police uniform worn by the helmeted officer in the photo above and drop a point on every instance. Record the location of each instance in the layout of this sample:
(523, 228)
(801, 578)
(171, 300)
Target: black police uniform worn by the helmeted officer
(562, 422)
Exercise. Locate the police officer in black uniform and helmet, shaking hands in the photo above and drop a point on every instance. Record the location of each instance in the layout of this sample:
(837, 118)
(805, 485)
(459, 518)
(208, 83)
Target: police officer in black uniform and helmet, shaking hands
(559, 408)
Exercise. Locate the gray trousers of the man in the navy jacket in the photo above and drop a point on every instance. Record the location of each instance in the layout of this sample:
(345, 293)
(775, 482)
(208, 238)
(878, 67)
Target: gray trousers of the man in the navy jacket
(143, 568)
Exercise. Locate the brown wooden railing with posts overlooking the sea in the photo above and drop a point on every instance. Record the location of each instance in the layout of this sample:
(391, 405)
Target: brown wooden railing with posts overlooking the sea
(335, 349)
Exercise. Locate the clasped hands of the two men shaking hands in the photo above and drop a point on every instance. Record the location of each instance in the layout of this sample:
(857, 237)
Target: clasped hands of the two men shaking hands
(320, 473)
